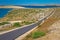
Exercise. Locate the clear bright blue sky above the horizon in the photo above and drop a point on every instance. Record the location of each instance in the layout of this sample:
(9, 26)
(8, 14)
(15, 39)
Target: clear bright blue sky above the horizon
(19, 2)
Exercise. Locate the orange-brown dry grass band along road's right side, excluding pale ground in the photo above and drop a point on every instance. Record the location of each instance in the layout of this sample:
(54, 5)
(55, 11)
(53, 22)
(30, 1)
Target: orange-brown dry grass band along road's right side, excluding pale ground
(44, 27)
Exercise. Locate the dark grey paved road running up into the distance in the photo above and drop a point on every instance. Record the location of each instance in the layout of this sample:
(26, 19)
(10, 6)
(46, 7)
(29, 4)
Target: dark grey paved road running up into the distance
(16, 33)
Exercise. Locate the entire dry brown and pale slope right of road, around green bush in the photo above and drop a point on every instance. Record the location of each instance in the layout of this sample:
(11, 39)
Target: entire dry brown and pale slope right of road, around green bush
(51, 28)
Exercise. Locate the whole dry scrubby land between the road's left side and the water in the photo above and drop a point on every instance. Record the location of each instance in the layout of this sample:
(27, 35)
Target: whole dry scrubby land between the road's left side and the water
(27, 16)
